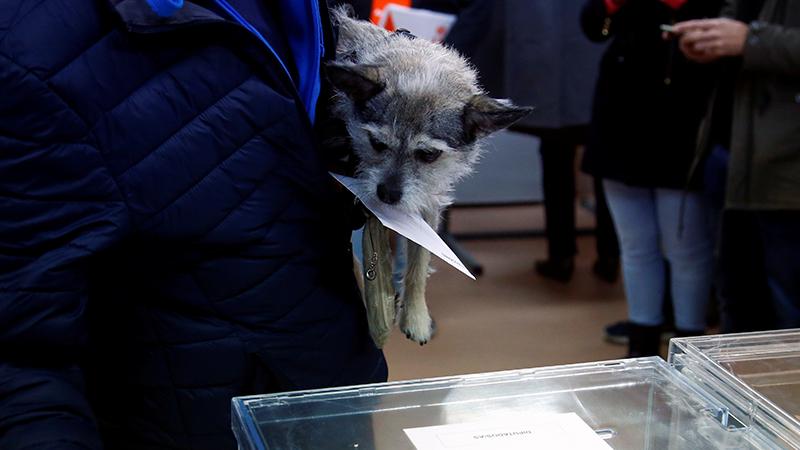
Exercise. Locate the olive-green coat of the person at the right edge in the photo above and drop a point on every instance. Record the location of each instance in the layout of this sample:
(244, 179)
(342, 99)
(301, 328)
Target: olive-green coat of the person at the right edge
(764, 171)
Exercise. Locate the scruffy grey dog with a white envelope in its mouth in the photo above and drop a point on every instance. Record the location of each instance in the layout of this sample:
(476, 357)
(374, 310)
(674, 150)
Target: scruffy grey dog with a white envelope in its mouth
(415, 115)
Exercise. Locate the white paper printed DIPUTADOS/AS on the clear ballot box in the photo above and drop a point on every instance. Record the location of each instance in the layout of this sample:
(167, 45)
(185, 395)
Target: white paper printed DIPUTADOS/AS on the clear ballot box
(529, 432)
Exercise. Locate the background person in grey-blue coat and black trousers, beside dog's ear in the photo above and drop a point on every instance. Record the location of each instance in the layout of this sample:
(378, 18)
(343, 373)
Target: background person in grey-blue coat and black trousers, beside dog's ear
(552, 66)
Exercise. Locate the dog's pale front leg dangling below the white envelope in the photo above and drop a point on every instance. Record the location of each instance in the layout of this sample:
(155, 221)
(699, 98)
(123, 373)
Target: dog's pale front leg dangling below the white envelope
(415, 320)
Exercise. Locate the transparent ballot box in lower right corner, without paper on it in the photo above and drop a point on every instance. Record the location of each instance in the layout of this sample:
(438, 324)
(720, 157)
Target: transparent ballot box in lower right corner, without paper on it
(755, 375)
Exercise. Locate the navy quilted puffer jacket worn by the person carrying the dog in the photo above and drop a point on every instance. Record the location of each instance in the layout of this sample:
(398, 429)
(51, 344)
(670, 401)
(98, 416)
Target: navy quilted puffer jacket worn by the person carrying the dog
(169, 236)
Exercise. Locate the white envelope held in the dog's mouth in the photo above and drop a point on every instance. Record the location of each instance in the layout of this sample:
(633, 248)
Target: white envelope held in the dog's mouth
(412, 227)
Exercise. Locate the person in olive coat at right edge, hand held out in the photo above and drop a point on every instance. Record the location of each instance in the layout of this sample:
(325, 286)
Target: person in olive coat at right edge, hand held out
(759, 243)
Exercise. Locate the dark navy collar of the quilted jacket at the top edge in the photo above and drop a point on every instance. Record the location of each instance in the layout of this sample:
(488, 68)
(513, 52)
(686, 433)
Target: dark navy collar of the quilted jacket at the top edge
(138, 17)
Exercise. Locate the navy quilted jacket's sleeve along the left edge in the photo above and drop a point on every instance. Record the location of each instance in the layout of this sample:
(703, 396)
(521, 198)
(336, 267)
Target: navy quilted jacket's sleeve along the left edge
(58, 207)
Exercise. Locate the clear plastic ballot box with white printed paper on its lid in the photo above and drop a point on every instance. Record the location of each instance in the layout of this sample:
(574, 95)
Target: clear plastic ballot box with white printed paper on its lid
(628, 404)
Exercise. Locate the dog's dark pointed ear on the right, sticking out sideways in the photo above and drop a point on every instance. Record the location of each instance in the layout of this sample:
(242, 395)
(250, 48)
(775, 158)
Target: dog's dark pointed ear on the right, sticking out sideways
(484, 115)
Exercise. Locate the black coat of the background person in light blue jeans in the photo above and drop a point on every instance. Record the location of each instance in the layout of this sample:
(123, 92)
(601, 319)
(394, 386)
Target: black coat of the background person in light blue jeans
(649, 100)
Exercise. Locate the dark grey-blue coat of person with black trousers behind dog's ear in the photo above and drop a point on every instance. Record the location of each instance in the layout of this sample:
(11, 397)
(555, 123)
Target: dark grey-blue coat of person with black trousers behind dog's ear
(549, 63)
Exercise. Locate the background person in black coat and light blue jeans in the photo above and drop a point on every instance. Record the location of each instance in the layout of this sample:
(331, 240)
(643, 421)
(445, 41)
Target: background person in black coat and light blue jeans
(648, 106)
